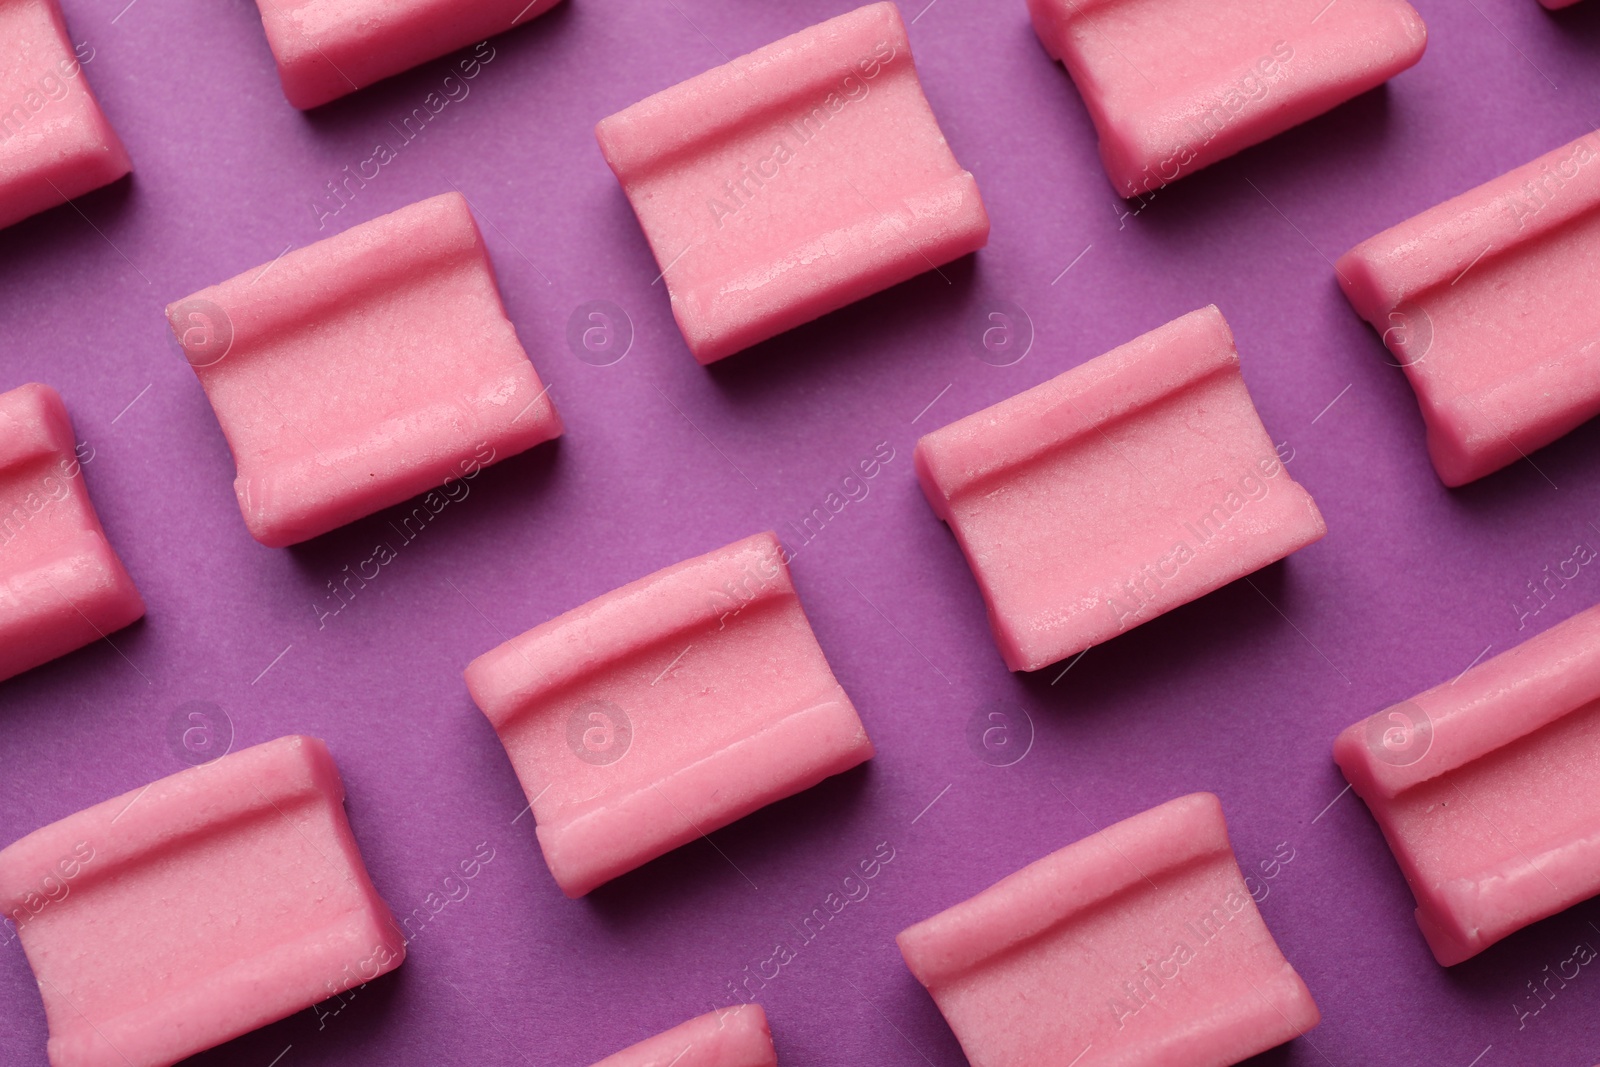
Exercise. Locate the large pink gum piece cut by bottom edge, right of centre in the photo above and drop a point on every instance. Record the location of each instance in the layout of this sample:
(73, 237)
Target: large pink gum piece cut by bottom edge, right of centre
(1135, 948)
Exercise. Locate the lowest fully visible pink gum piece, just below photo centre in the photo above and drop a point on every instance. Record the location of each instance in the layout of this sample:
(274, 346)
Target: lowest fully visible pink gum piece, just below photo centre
(666, 709)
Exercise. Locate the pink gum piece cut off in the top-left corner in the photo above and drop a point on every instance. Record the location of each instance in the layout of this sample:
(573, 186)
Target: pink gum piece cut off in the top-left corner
(55, 143)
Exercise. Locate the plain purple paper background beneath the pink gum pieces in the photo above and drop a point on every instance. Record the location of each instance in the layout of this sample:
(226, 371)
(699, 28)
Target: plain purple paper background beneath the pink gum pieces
(1241, 693)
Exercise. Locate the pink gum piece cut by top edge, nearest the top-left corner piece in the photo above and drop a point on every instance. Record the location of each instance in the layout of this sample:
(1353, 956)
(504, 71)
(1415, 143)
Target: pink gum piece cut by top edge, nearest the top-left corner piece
(327, 49)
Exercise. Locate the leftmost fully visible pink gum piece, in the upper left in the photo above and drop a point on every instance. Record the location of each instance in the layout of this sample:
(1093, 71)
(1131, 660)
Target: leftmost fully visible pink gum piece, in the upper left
(362, 370)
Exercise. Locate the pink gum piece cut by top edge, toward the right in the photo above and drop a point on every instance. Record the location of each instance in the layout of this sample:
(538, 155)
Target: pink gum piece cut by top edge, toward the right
(1175, 86)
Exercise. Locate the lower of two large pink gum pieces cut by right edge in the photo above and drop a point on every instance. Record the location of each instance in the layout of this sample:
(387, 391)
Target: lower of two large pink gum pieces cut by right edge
(1484, 788)
